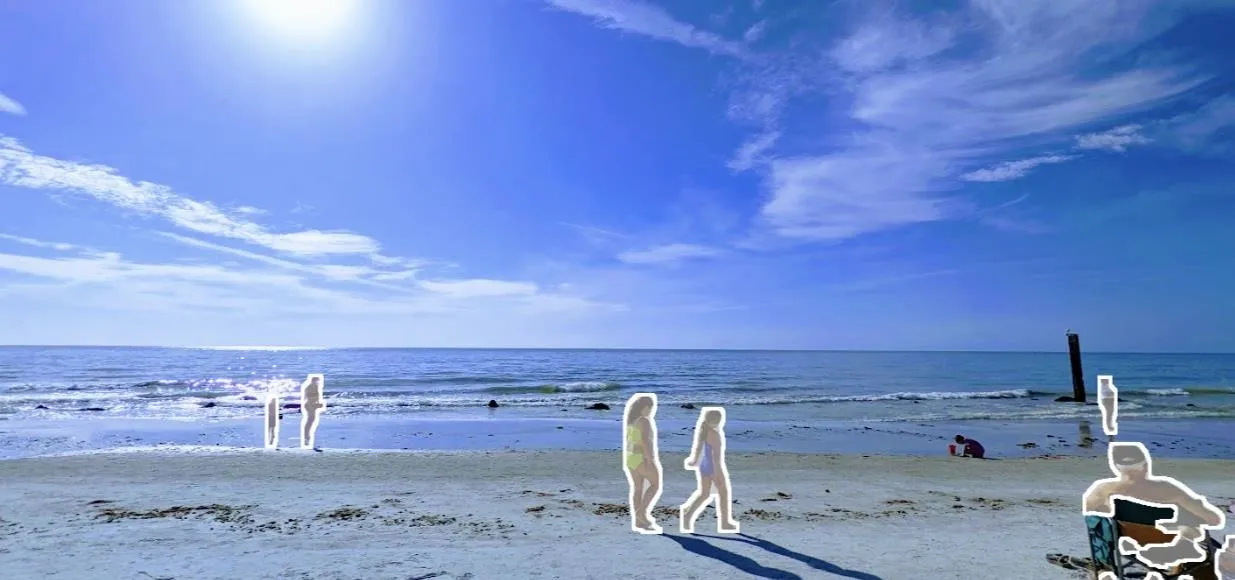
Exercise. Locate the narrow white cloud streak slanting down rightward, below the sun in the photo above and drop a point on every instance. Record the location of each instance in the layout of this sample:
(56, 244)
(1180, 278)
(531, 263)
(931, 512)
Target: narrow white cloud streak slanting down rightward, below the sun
(24, 168)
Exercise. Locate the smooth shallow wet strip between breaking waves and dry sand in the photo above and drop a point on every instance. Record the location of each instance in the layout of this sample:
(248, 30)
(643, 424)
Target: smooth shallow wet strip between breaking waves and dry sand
(1213, 439)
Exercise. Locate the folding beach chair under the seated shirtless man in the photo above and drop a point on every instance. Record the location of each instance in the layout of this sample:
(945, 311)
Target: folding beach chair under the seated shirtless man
(1137, 521)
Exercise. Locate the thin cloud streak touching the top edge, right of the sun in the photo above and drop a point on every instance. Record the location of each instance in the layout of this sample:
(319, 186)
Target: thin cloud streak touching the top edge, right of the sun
(639, 18)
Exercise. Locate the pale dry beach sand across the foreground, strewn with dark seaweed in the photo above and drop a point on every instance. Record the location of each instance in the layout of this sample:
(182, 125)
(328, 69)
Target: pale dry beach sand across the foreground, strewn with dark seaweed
(228, 514)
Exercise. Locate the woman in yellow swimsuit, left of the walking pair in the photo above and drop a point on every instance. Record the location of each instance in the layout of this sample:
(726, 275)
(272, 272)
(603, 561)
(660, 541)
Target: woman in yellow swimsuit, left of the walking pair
(642, 461)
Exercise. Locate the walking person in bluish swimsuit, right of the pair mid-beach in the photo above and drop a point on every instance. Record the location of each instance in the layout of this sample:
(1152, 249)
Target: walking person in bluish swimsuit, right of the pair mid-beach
(708, 461)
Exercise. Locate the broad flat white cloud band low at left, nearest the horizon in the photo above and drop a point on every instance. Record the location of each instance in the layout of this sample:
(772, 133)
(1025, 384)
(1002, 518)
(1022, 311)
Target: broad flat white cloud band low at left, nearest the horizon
(86, 276)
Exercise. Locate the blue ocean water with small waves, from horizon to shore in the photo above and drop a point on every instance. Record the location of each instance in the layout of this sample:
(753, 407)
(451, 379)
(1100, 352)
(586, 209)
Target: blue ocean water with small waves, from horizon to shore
(406, 391)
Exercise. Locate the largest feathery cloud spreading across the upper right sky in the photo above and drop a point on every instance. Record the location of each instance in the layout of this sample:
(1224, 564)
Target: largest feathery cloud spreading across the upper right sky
(933, 99)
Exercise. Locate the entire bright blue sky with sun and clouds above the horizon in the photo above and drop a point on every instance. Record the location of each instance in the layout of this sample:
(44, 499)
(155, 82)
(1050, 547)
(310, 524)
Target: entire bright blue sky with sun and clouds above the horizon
(613, 173)
